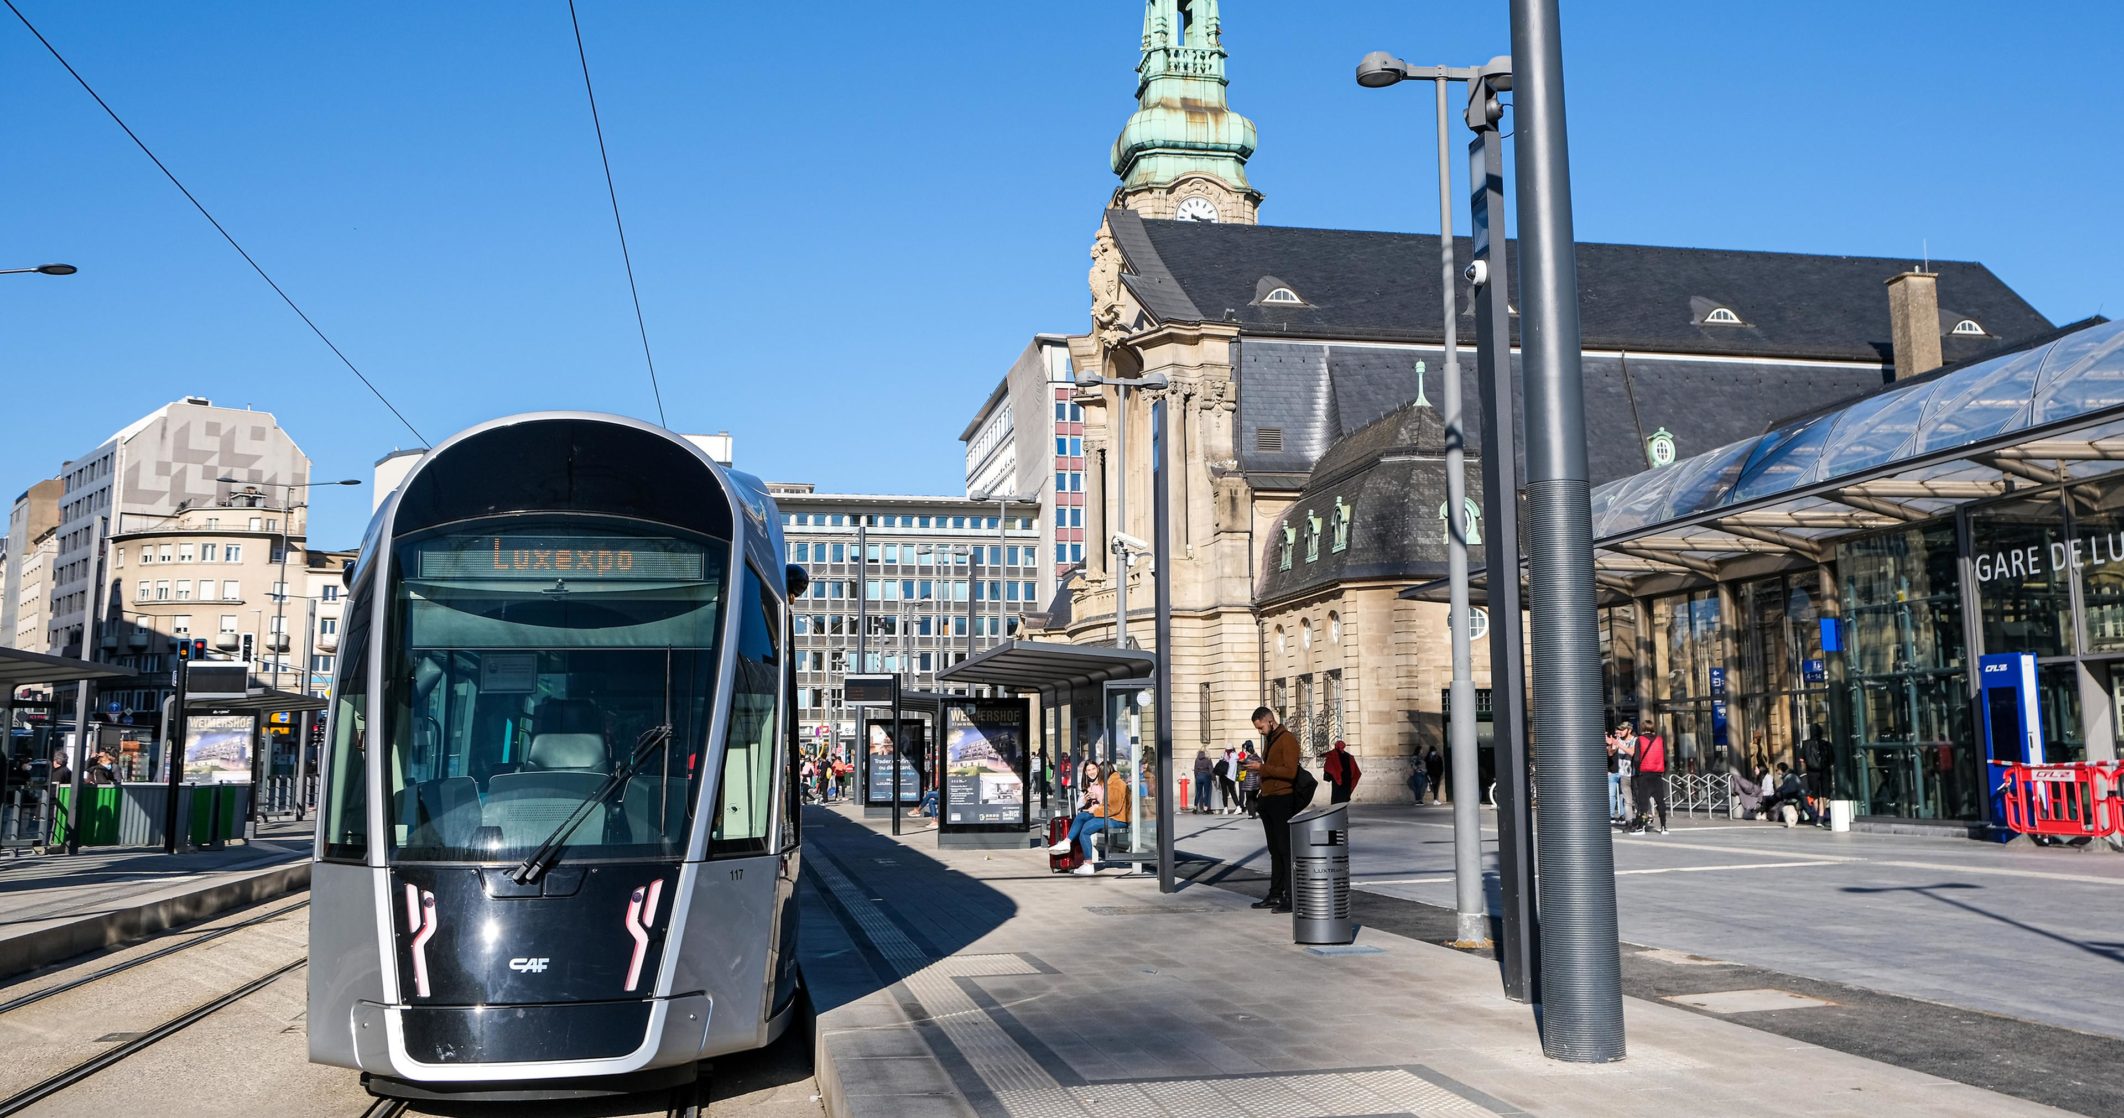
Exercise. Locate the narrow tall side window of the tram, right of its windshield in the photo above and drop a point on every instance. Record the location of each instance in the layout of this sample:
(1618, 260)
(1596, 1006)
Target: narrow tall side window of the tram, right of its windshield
(747, 794)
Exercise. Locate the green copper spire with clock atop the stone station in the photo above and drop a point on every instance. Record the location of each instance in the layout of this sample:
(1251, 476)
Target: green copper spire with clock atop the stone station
(1184, 154)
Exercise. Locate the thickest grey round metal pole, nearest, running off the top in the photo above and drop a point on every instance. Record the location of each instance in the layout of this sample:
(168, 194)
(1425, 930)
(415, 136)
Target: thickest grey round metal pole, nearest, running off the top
(1581, 964)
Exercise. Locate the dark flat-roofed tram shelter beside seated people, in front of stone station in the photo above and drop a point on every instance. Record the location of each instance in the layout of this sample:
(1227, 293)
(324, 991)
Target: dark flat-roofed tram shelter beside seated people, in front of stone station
(1099, 705)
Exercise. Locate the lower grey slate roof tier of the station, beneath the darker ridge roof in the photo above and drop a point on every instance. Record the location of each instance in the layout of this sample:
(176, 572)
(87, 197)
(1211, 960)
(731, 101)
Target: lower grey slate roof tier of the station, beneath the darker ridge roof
(1322, 394)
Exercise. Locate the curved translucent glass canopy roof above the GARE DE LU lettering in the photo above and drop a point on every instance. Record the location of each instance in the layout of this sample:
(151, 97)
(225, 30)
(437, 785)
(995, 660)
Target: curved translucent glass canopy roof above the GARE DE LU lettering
(1915, 452)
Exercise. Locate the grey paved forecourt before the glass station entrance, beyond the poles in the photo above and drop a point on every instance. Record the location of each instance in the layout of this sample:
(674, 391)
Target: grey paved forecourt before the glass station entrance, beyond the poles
(2006, 930)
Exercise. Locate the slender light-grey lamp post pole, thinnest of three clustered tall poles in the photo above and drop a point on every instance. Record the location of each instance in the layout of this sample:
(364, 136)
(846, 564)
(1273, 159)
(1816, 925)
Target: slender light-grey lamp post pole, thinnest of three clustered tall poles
(1469, 894)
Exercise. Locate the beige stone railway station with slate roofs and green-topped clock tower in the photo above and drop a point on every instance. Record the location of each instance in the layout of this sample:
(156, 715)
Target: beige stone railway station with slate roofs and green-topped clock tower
(1303, 445)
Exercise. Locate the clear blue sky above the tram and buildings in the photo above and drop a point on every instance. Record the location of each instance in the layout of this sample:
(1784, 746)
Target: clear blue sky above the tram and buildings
(849, 218)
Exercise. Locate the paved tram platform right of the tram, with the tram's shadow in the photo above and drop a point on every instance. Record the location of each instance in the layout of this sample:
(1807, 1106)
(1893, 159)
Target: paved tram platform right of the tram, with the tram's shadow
(978, 983)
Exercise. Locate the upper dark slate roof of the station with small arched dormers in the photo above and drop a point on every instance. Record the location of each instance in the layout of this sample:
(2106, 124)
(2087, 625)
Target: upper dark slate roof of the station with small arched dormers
(1371, 286)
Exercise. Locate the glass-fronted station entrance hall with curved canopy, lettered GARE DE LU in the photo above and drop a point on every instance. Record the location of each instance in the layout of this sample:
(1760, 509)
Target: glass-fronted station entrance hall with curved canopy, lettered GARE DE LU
(1840, 590)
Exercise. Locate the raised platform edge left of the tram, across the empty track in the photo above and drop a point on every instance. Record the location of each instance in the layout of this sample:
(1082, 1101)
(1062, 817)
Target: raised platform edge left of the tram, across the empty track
(58, 907)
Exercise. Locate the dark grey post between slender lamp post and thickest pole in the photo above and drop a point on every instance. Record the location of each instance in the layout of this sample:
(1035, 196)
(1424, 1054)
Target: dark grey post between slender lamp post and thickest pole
(1501, 505)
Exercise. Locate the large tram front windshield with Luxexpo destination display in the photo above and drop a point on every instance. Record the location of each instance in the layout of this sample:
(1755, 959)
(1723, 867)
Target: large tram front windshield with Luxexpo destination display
(528, 671)
